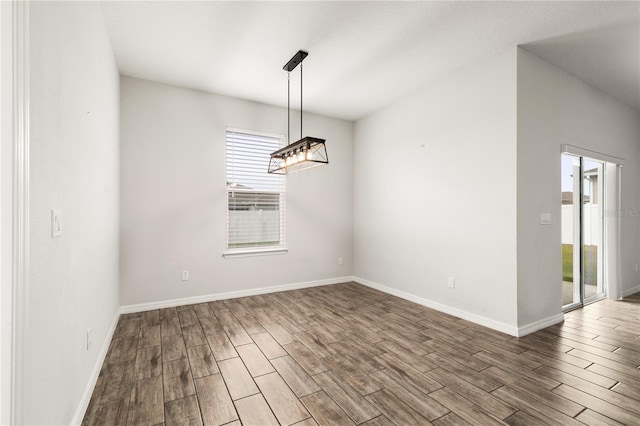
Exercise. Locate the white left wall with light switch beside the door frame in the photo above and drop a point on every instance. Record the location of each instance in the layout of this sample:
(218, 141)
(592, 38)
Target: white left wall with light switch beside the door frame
(74, 167)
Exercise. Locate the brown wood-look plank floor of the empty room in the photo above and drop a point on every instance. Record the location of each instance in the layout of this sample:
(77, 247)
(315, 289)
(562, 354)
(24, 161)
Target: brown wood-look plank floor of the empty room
(346, 354)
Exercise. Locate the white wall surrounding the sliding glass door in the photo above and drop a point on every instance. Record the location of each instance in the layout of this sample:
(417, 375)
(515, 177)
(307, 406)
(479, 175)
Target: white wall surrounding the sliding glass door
(555, 108)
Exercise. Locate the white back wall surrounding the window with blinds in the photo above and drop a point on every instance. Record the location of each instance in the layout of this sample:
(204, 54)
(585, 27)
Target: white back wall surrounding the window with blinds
(173, 196)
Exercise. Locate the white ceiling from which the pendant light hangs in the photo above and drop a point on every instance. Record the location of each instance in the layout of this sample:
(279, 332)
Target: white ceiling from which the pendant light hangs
(365, 55)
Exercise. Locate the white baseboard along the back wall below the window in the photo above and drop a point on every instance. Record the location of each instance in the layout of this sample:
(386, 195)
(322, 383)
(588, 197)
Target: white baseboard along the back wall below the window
(141, 307)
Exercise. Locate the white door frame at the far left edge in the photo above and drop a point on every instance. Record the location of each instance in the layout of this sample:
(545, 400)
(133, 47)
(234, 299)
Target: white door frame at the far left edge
(14, 202)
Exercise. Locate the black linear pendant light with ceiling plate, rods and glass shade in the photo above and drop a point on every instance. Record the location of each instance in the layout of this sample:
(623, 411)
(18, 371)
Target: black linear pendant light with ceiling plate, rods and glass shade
(306, 153)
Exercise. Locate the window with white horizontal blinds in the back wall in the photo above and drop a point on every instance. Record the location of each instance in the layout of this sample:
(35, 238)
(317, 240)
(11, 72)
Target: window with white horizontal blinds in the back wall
(255, 198)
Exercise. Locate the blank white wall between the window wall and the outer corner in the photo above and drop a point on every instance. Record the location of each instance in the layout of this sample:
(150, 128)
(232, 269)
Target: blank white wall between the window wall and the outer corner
(448, 209)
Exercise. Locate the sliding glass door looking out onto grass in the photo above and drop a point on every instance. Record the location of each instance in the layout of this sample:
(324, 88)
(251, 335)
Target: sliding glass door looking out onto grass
(582, 231)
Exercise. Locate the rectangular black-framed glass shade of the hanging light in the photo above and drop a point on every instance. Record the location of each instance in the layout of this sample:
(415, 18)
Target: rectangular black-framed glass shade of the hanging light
(304, 154)
